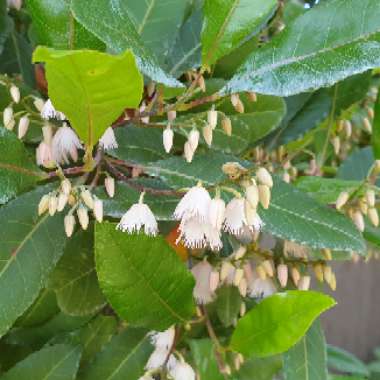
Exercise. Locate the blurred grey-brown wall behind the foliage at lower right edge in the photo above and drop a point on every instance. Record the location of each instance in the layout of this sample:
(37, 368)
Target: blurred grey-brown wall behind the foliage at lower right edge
(354, 324)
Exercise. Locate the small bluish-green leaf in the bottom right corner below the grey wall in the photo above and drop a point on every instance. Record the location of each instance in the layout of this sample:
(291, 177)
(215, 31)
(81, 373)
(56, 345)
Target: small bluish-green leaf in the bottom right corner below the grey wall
(345, 362)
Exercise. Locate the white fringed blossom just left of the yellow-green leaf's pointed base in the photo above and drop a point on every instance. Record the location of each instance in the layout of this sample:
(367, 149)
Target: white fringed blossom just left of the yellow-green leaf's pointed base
(65, 142)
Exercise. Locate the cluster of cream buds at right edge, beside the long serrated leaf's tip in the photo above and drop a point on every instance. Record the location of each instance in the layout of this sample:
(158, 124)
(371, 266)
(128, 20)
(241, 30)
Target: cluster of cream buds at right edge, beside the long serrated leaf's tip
(360, 207)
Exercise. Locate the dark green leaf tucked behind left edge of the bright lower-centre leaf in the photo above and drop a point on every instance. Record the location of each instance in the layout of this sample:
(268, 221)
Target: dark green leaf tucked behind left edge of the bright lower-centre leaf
(74, 278)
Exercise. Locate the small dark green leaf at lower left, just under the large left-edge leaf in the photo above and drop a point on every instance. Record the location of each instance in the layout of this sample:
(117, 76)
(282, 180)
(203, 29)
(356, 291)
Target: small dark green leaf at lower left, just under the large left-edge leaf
(43, 308)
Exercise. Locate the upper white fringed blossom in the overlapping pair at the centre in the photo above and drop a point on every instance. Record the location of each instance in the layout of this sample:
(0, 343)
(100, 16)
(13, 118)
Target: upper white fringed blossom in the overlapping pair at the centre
(194, 204)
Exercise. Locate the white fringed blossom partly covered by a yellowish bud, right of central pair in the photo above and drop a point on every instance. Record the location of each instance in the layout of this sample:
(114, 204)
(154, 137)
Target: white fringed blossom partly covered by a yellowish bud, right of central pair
(235, 218)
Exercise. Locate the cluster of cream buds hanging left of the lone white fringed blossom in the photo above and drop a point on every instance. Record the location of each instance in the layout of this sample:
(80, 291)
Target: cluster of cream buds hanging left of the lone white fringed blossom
(79, 199)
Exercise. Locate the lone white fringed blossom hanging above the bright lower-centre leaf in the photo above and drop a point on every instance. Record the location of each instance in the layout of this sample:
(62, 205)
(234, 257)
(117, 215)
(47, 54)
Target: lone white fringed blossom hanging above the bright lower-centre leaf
(137, 217)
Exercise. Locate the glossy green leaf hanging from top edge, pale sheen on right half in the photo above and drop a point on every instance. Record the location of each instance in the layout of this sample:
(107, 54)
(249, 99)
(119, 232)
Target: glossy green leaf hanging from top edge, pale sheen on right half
(228, 23)
